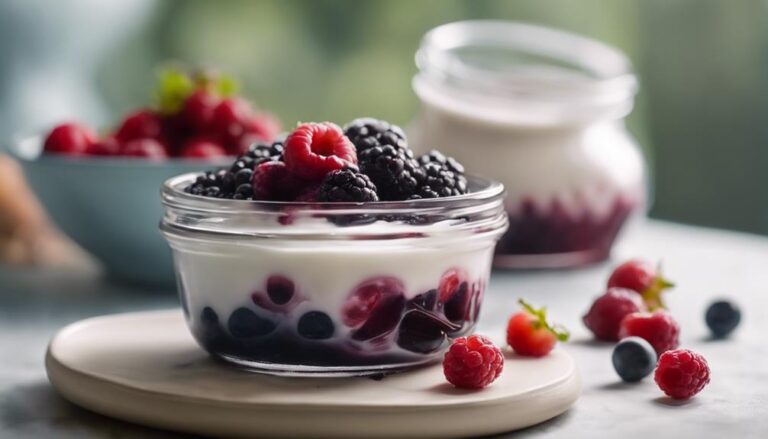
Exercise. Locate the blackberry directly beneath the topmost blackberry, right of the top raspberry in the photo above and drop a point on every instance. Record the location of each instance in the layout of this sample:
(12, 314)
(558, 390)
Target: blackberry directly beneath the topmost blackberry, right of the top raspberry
(394, 171)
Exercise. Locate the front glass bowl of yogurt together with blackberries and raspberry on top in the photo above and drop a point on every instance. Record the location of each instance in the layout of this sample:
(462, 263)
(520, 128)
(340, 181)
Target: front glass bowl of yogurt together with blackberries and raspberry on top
(335, 252)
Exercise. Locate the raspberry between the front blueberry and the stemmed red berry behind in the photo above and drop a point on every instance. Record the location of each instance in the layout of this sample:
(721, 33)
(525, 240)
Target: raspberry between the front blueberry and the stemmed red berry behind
(657, 328)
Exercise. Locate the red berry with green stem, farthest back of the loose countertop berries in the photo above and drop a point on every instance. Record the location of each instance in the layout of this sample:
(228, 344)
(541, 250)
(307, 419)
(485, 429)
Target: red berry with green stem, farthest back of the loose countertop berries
(641, 277)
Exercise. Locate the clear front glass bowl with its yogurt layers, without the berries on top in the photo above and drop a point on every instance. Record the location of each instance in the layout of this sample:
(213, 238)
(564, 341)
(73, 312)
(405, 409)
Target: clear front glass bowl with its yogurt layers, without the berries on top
(293, 288)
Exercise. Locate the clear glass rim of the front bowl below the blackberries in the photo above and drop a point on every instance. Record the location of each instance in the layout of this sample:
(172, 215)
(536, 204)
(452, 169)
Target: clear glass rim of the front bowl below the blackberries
(478, 213)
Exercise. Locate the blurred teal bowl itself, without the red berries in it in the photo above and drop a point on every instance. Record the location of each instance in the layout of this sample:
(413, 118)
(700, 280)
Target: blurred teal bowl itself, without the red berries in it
(109, 206)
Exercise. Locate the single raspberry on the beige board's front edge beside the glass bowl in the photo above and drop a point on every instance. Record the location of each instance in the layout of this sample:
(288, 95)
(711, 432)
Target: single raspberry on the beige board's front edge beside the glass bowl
(472, 362)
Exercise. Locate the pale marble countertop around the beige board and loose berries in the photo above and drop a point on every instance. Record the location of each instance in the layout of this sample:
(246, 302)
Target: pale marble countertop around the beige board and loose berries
(706, 264)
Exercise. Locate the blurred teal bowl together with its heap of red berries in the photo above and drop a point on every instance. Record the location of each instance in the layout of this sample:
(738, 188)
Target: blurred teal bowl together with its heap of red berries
(101, 190)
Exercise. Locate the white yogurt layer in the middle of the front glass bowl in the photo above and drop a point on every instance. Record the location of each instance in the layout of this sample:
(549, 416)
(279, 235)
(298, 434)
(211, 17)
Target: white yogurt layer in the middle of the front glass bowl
(223, 275)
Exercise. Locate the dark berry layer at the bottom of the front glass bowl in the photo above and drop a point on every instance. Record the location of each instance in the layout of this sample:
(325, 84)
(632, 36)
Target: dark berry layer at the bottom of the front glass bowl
(377, 324)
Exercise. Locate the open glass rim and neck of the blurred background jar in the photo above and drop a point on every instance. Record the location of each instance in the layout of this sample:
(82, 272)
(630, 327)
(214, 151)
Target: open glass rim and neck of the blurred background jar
(509, 72)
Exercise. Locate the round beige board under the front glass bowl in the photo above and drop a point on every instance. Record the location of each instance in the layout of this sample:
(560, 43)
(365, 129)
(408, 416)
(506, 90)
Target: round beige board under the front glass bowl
(146, 368)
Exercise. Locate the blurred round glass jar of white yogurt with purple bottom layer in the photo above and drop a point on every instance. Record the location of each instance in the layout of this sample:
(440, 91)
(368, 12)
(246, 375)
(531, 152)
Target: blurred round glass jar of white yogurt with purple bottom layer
(541, 111)
